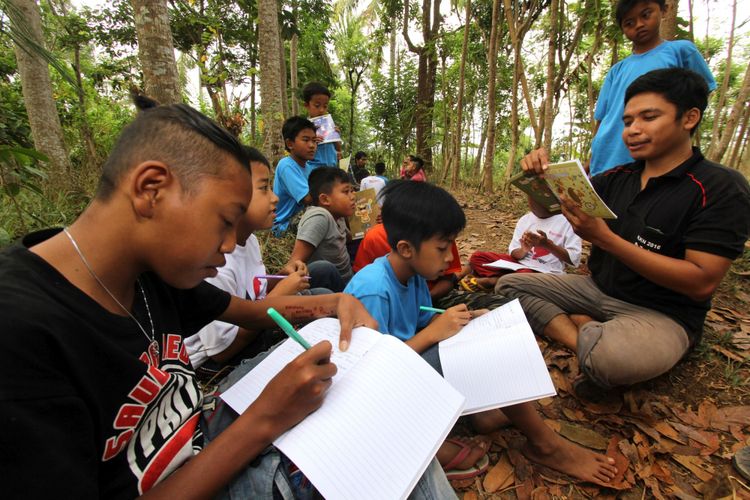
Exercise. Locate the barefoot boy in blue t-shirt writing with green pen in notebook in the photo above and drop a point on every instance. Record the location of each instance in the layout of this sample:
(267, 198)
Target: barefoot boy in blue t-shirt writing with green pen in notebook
(422, 221)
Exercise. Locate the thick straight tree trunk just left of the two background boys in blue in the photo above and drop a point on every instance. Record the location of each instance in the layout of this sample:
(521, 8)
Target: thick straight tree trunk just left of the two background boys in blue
(270, 82)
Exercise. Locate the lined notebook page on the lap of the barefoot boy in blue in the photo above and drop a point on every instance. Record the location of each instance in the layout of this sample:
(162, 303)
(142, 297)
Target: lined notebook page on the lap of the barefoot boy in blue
(494, 361)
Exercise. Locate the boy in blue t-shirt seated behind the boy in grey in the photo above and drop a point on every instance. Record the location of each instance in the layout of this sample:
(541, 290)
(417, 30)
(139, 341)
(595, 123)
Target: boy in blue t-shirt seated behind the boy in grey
(290, 182)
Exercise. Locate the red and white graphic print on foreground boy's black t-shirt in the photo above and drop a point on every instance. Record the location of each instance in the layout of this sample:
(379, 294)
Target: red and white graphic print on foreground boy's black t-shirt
(157, 424)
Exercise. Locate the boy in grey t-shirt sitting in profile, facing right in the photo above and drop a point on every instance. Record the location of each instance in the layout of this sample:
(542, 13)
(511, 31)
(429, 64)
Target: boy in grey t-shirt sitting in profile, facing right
(322, 232)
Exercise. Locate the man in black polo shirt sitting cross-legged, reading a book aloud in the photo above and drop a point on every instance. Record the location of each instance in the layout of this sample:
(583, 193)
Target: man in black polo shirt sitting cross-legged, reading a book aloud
(681, 221)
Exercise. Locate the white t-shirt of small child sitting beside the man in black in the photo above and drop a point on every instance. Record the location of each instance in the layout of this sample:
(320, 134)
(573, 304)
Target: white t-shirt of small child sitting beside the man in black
(559, 231)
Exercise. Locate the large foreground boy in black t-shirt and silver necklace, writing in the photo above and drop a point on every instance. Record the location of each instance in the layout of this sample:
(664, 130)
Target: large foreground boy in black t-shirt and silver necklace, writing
(97, 395)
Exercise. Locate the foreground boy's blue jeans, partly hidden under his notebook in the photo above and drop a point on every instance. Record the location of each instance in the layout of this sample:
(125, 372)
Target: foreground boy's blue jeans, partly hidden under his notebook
(266, 473)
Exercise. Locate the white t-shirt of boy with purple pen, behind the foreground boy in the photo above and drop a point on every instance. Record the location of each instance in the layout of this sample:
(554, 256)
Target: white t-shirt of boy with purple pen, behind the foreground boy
(238, 278)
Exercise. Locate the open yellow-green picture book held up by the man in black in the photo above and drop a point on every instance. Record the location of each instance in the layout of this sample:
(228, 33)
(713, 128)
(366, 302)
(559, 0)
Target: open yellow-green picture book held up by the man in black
(566, 178)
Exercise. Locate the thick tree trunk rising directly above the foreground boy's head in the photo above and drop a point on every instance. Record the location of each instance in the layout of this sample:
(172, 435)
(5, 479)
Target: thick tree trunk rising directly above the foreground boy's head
(156, 50)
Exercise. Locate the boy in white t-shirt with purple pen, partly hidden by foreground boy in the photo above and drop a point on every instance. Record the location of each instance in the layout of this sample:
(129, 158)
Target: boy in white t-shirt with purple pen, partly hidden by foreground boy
(242, 277)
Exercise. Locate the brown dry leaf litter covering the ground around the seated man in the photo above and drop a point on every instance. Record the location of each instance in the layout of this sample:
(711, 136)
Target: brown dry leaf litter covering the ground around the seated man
(672, 437)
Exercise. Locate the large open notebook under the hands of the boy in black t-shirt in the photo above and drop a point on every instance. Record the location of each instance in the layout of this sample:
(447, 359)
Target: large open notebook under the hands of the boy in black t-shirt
(381, 423)
